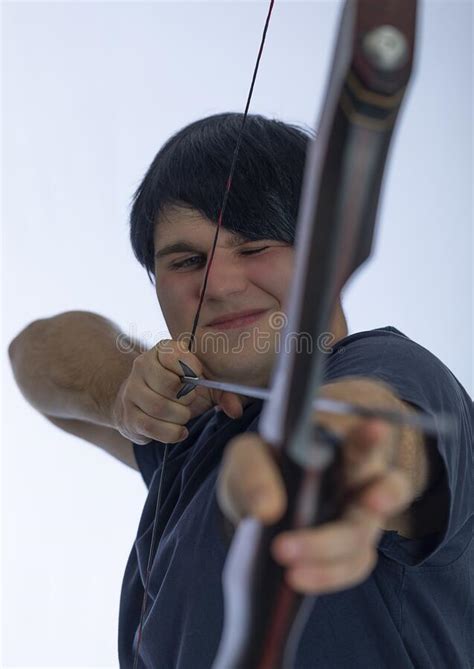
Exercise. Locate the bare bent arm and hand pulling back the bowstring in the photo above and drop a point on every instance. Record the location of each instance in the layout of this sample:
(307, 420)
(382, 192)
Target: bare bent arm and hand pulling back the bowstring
(91, 380)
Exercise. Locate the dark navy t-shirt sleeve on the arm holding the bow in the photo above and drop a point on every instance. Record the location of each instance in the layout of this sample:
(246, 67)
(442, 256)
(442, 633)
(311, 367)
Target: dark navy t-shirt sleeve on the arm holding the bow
(422, 380)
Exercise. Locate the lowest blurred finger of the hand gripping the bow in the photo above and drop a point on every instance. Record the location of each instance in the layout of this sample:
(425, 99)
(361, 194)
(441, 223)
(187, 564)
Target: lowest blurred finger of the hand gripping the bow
(331, 577)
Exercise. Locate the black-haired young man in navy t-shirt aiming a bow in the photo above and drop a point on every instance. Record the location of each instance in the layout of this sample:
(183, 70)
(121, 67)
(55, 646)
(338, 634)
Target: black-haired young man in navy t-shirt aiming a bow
(393, 571)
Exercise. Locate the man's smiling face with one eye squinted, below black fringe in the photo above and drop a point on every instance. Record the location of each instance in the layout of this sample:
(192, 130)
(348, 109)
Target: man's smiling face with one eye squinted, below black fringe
(239, 324)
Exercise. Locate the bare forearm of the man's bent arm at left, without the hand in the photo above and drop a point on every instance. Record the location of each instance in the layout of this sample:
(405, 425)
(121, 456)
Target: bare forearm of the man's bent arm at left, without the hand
(71, 365)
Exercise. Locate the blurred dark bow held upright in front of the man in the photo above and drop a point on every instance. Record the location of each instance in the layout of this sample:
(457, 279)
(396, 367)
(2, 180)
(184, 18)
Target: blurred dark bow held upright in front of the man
(371, 68)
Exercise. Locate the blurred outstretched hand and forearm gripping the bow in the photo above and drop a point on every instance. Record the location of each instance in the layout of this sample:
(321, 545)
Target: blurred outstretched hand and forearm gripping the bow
(387, 470)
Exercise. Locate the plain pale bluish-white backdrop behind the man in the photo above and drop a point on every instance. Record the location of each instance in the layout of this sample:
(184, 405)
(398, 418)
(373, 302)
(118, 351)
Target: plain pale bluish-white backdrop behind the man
(90, 92)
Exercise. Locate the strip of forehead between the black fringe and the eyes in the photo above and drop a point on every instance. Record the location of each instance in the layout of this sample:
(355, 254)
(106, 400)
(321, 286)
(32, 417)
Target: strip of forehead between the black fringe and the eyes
(181, 223)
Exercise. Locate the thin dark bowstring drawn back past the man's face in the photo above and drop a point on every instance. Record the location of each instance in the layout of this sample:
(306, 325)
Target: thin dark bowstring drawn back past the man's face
(196, 320)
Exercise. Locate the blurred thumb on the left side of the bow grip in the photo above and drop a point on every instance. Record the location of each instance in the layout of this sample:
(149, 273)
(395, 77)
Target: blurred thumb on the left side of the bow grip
(250, 483)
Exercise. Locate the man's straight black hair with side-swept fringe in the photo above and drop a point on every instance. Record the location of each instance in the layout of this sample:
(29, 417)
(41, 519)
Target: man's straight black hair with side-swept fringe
(191, 170)
